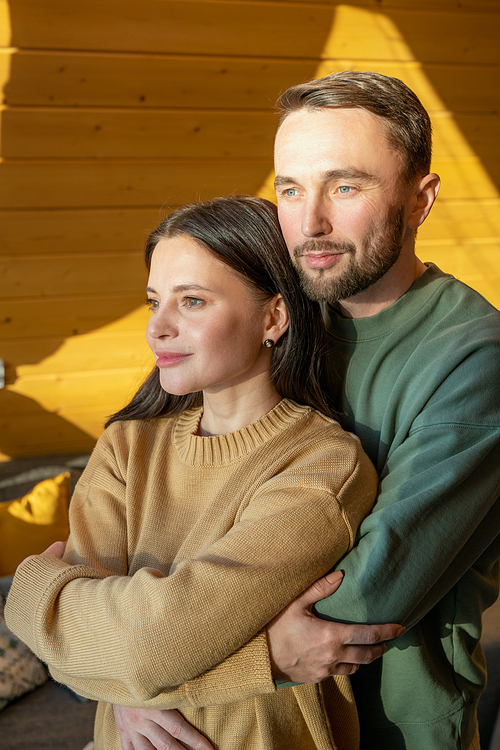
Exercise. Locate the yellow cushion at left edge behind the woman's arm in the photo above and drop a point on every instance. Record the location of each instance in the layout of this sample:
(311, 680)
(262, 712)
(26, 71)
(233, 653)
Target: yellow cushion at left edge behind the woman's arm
(29, 525)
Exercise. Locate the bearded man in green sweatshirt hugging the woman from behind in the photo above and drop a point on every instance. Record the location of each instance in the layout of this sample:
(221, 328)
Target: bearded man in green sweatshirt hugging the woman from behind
(414, 357)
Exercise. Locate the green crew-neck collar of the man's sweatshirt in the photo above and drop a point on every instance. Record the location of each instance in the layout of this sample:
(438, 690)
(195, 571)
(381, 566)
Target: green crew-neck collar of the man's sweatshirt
(411, 303)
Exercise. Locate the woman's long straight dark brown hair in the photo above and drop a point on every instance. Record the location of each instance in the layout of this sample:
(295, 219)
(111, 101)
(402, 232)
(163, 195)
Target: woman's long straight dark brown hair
(243, 232)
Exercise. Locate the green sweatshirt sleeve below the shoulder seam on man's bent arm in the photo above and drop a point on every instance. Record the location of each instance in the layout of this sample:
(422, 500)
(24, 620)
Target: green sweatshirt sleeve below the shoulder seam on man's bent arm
(436, 514)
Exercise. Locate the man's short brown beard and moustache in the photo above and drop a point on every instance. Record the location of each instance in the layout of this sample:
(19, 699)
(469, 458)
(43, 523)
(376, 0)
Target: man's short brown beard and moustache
(380, 252)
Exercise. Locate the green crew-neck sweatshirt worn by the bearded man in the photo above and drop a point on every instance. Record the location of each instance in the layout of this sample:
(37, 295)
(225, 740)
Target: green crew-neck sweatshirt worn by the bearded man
(419, 384)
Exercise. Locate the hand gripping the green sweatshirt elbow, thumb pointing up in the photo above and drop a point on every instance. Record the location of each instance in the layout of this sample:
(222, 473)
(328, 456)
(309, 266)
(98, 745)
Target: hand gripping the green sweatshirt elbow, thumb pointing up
(304, 648)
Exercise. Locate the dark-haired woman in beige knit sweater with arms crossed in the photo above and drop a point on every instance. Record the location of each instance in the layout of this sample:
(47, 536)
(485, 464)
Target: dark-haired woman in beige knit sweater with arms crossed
(214, 498)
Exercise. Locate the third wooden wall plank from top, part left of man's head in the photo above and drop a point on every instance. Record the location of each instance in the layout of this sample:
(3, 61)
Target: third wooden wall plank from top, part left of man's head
(193, 134)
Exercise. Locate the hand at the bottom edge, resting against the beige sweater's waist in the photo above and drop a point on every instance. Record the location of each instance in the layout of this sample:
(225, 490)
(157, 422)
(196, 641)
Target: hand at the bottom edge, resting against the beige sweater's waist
(144, 728)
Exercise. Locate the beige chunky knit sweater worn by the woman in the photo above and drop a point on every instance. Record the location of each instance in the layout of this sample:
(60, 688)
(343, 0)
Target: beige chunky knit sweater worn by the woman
(182, 548)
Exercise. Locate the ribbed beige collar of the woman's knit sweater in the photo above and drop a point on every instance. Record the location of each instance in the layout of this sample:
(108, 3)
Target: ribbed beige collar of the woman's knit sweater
(224, 449)
